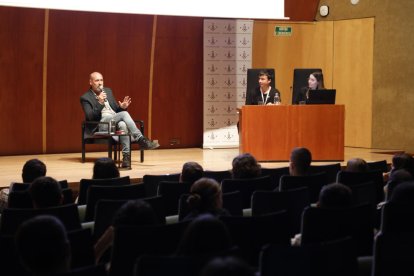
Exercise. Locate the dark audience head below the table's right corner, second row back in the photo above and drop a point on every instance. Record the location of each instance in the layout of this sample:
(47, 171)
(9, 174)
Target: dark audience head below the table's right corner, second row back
(335, 196)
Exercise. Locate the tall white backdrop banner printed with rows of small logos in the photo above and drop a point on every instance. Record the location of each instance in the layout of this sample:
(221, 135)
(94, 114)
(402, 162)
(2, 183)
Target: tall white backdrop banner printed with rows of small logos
(227, 56)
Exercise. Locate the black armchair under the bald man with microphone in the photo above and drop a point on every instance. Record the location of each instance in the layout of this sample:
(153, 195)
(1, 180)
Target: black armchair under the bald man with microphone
(104, 138)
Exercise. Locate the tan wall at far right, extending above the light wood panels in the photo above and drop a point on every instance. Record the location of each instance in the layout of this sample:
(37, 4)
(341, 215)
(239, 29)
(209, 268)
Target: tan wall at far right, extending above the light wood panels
(393, 59)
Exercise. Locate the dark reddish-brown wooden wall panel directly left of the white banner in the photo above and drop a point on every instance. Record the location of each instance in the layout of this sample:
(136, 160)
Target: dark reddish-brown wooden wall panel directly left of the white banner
(178, 82)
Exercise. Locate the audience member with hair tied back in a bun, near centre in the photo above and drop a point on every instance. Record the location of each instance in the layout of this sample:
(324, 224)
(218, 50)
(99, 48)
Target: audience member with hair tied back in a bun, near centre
(205, 197)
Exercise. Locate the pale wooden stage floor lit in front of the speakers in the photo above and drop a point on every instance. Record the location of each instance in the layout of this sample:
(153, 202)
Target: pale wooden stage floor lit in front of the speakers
(161, 161)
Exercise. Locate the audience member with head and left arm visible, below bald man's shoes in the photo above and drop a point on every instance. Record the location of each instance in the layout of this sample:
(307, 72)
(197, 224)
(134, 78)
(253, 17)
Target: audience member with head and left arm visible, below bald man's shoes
(132, 213)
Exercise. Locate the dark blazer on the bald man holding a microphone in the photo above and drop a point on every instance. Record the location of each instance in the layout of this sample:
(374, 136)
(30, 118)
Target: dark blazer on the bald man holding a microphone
(92, 108)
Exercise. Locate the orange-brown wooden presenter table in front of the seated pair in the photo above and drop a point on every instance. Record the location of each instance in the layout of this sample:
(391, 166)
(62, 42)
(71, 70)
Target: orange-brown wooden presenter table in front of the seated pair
(269, 133)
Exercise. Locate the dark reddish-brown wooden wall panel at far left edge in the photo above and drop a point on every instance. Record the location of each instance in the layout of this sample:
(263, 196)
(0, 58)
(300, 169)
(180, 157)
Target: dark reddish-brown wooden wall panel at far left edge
(21, 59)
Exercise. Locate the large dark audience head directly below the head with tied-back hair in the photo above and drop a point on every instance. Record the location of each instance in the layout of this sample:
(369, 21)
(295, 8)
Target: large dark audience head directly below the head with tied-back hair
(205, 237)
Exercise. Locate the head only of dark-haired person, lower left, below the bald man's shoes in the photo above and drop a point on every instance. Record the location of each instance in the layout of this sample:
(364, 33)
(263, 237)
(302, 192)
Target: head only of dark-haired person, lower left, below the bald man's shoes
(135, 213)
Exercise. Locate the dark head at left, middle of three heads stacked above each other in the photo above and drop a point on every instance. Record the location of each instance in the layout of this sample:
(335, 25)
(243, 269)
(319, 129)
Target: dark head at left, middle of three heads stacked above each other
(45, 192)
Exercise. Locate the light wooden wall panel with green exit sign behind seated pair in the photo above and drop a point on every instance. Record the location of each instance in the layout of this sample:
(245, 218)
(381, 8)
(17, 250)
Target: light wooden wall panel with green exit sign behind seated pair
(309, 46)
